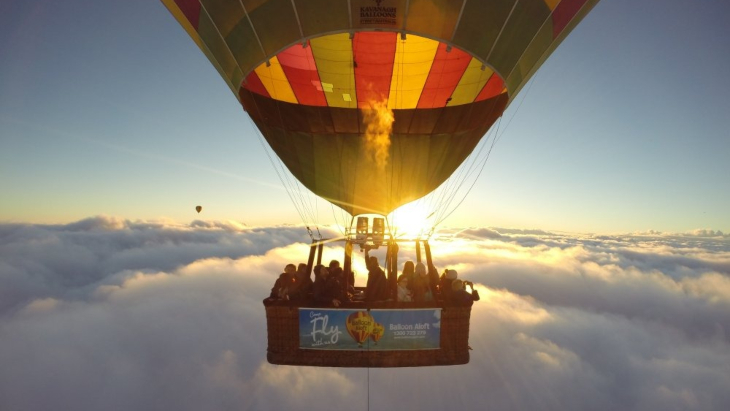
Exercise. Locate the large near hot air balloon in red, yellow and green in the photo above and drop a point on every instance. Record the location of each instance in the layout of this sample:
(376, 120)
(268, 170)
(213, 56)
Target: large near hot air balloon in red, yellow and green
(372, 104)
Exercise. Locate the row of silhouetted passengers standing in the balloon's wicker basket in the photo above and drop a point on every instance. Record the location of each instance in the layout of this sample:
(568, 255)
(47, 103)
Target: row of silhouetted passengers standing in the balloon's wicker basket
(332, 286)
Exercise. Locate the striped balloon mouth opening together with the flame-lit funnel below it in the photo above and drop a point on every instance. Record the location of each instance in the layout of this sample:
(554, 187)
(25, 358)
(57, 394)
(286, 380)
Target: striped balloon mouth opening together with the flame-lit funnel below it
(350, 116)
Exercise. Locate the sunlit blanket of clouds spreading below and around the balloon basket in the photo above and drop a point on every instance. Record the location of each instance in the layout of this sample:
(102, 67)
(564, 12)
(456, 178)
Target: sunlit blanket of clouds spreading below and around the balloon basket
(111, 314)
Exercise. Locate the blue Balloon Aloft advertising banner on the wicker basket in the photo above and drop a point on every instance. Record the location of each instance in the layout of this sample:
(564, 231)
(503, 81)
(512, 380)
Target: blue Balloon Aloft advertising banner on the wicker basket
(344, 329)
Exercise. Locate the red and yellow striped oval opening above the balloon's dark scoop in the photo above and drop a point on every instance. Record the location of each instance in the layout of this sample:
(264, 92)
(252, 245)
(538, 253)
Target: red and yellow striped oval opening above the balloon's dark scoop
(363, 68)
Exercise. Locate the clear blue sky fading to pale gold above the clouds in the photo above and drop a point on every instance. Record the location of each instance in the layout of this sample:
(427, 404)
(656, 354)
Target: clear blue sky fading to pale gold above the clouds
(108, 108)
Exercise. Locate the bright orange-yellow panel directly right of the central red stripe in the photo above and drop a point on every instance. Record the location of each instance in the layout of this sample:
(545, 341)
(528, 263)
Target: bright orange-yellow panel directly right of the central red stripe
(413, 60)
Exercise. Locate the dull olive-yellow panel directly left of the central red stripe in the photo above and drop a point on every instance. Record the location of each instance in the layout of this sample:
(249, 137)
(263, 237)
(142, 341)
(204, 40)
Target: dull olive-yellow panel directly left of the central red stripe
(333, 56)
